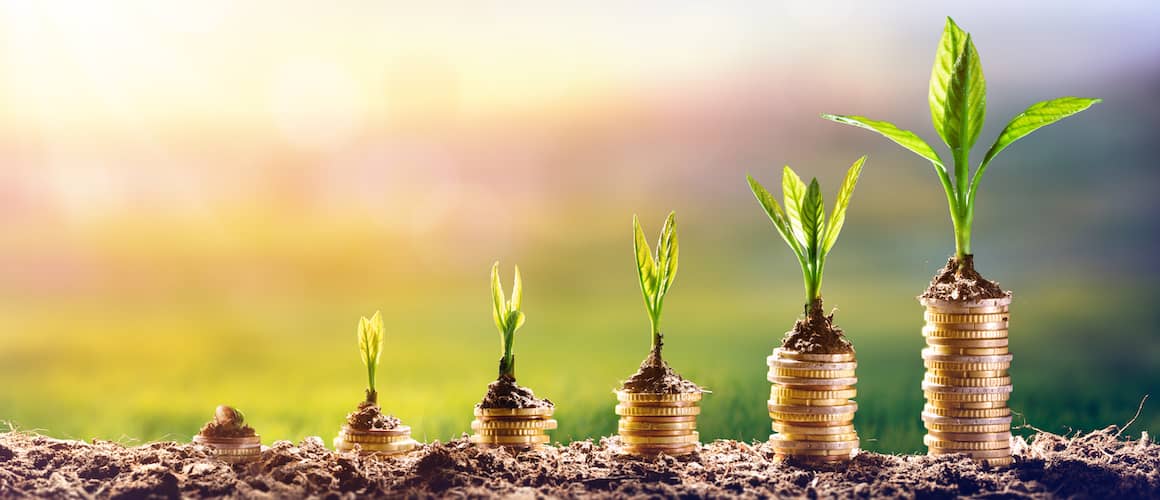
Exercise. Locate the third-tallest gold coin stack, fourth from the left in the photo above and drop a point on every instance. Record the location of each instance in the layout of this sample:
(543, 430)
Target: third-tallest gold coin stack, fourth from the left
(654, 423)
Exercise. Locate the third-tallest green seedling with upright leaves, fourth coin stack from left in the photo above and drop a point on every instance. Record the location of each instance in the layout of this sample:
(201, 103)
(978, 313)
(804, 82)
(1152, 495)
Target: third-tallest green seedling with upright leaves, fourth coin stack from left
(656, 272)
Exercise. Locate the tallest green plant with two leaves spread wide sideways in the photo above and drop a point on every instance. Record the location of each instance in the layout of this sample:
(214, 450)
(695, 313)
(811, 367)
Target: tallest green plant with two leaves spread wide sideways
(959, 102)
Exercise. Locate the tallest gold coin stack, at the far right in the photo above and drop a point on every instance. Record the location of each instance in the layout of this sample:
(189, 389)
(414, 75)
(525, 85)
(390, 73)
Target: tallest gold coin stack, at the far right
(967, 386)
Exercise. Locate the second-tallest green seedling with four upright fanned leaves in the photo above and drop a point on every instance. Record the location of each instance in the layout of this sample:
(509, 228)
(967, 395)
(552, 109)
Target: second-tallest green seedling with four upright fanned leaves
(803, 223)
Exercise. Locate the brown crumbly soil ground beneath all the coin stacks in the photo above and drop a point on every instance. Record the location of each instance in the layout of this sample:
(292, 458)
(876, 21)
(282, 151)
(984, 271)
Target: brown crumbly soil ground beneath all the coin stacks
(1100, 465)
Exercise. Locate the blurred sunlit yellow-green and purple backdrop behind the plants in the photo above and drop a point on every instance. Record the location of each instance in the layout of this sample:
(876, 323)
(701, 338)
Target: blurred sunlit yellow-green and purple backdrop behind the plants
(198, 204)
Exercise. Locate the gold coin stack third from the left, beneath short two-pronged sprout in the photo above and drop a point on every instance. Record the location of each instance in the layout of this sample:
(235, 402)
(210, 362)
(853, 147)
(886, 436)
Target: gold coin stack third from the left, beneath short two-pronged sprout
(524, 429)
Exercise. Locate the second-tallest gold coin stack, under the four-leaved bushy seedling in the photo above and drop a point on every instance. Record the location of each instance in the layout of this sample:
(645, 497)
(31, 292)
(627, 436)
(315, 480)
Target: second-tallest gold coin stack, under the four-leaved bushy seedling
(811, 408)
